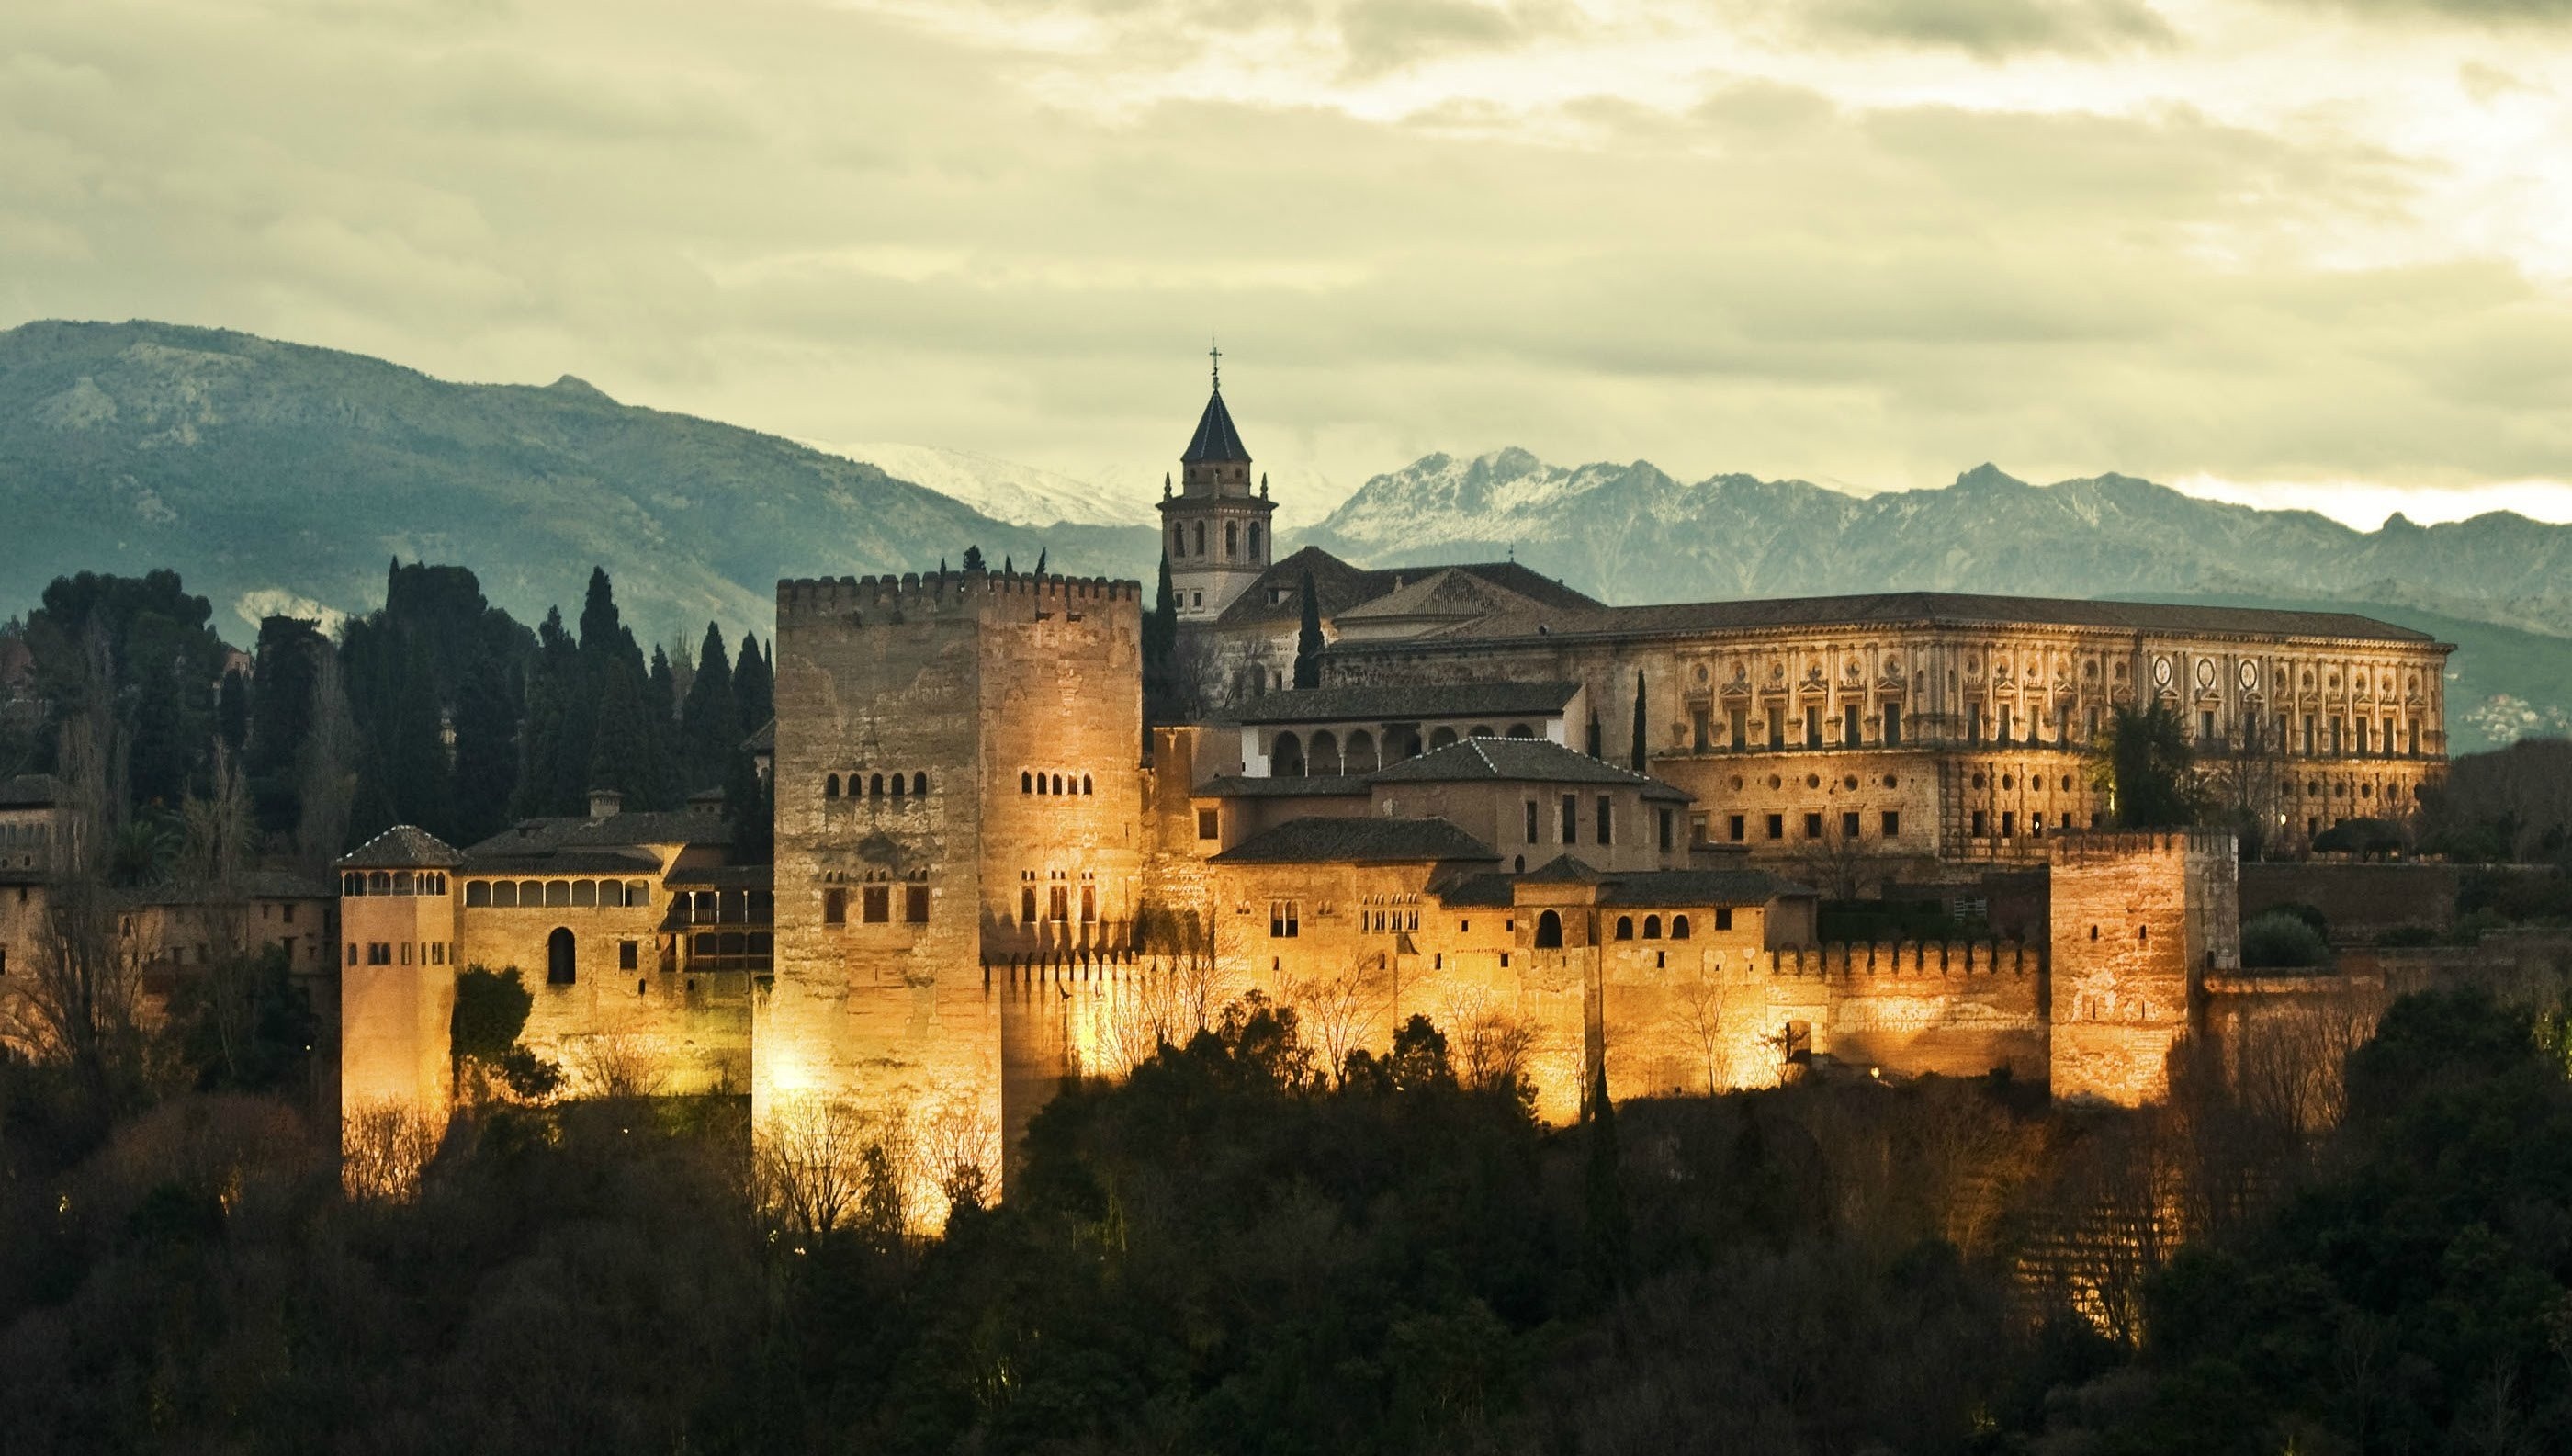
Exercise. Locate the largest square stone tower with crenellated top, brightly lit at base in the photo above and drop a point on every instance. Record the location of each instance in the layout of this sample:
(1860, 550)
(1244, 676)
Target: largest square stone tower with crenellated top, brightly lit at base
(958, 786)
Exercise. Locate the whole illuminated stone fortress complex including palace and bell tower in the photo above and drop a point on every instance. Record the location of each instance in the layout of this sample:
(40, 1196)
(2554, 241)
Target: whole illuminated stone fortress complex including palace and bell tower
(1588, 842)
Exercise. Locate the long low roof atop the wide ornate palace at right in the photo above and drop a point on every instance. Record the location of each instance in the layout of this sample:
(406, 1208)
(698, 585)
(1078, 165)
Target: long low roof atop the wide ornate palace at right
(1928, 608)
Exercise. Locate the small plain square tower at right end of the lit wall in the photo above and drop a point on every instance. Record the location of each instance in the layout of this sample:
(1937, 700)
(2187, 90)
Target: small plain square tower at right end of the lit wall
(2139, 922)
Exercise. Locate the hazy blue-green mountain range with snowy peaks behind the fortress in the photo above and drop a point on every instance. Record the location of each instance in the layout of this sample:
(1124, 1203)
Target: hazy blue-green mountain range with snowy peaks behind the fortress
(284, 477)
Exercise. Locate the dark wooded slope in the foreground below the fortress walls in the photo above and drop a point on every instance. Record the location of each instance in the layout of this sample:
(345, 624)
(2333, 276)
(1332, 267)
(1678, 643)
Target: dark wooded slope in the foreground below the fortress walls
(1249, 1251)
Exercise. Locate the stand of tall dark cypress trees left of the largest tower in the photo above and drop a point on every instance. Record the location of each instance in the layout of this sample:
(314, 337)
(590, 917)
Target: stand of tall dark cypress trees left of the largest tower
(436, 711)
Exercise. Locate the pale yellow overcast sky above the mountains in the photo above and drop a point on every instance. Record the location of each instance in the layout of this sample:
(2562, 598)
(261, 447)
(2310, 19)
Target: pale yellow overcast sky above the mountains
(2301, 251)
